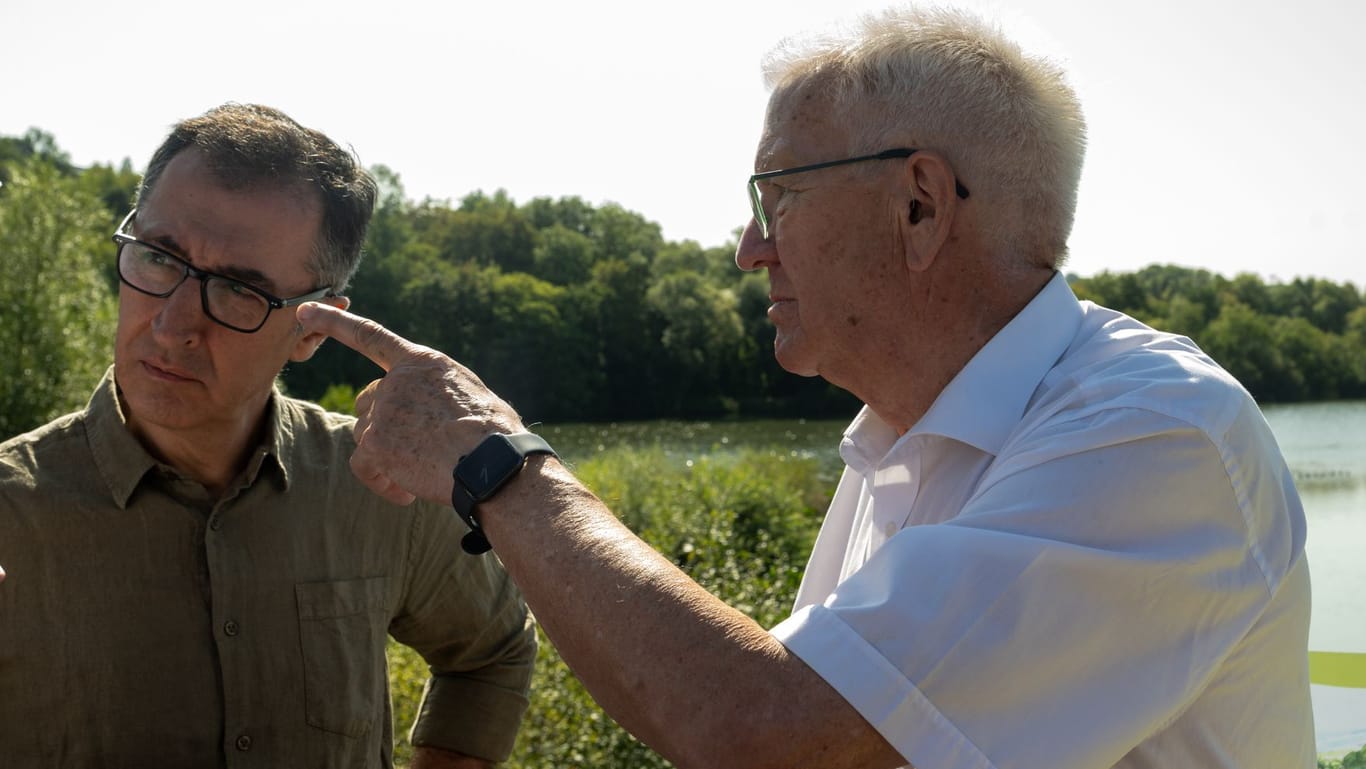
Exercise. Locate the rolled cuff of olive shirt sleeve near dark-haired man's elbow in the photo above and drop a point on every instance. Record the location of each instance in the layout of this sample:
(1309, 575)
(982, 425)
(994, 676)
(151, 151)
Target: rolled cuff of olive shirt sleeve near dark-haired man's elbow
(469, 716)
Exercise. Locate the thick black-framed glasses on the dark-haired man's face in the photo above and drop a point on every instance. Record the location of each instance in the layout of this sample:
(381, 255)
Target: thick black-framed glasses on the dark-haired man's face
(227, 301)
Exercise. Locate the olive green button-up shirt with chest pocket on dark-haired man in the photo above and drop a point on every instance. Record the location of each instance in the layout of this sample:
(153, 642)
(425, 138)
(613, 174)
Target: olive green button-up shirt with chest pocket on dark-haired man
(145, 624)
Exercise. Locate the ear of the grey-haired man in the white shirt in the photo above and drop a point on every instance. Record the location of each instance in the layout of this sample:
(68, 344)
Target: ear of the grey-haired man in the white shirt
(930, 208)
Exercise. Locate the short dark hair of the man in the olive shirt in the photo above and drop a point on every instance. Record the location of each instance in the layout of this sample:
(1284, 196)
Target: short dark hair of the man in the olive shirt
(248, 145)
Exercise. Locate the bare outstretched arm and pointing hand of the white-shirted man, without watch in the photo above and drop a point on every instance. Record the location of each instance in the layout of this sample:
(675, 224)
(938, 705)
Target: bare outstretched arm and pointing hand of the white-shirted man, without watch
(691, 677)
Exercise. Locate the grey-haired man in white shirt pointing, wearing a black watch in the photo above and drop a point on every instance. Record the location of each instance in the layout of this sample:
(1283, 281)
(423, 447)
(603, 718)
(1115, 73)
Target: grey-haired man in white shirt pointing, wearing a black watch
(1063, 540)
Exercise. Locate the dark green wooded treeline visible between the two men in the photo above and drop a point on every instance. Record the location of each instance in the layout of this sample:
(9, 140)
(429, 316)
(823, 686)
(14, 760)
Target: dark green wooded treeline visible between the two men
(573, 312)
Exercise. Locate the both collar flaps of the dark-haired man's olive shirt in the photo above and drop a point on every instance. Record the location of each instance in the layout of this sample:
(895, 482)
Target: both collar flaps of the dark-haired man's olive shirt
(124, 462)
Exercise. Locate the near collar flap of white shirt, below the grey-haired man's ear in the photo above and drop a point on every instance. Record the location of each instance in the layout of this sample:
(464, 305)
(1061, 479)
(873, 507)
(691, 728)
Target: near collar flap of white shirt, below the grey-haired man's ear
(987, 400)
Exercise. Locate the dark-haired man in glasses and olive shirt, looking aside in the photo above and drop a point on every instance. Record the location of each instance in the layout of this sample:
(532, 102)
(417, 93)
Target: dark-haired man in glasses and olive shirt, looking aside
(195, 576)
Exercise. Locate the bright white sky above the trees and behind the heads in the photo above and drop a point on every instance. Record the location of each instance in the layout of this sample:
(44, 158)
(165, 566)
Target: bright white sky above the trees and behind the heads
(1225, 135)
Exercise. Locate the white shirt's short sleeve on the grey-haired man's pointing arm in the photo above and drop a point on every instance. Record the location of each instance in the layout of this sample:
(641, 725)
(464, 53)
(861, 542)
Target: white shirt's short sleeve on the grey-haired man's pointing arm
(1073, 609)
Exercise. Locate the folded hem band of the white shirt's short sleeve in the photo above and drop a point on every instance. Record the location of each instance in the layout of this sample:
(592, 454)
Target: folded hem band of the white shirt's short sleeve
(878, 690)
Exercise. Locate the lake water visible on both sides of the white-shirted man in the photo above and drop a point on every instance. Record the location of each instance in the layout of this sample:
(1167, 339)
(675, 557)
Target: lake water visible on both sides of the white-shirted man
(1324, 443)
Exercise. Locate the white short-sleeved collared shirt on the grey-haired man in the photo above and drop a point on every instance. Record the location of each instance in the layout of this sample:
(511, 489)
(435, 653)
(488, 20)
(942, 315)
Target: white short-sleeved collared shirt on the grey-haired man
(1088, 554)
